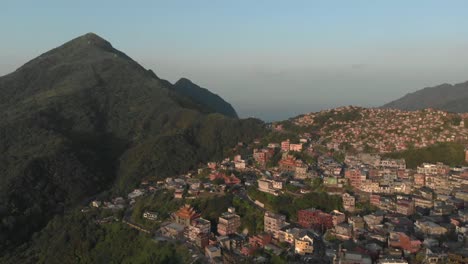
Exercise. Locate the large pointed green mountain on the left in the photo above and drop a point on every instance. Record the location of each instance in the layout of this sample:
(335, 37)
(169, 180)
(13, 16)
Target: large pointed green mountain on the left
(85, 118)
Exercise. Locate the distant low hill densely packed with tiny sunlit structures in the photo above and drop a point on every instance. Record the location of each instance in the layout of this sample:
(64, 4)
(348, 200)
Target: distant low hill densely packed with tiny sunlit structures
(387, 130)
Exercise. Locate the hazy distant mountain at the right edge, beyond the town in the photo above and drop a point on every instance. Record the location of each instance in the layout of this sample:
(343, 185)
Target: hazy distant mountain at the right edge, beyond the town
(447, 97)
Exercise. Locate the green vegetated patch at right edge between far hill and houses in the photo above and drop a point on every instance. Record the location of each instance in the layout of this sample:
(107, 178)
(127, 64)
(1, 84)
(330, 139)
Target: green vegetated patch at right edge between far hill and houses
(449, 153)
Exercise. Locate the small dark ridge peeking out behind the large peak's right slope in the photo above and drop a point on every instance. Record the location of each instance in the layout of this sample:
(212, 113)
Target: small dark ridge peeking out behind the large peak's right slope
(204, 97)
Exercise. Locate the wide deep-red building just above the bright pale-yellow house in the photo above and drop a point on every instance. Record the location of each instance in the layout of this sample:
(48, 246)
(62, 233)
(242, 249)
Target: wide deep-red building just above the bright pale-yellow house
(314, 218)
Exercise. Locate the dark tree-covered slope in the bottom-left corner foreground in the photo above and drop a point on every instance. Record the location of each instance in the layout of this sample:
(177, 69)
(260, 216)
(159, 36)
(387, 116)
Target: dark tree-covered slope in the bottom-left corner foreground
(76, 238)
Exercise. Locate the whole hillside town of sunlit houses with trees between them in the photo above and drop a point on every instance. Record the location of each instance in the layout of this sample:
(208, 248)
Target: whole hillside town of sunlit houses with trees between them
(294, 201)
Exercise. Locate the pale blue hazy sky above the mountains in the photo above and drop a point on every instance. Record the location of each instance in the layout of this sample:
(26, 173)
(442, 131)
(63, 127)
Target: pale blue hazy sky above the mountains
(269, 59)
